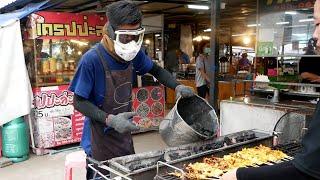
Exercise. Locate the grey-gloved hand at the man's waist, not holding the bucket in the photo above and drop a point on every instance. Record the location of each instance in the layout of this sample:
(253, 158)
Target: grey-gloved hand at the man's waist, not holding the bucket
(121, 122)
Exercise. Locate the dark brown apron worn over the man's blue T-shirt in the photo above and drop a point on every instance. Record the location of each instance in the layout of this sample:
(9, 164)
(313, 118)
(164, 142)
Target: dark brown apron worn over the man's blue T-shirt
(110, 144)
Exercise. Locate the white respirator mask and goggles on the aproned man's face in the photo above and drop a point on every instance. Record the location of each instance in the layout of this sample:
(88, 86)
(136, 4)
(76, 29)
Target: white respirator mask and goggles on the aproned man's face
(128, 51)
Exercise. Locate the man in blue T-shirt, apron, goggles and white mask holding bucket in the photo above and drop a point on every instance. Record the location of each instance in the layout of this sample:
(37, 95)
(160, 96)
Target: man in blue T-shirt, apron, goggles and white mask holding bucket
(103, 82)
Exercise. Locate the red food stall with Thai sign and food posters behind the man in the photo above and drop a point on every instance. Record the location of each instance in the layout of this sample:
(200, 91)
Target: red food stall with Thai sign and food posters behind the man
(54, 43)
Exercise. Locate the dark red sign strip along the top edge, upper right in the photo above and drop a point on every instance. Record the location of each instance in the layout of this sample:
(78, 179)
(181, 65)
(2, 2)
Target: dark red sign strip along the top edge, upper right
(266, 6)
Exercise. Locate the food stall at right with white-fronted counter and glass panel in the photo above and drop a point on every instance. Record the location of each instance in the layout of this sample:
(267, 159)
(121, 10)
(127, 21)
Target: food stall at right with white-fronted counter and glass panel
(283, 32)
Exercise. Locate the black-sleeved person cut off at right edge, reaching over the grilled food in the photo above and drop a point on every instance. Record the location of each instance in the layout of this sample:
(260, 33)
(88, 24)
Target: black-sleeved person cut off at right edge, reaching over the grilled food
(306, 165)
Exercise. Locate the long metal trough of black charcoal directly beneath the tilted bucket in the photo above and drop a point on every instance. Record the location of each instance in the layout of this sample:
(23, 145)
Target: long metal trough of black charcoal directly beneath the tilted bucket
(144, 165)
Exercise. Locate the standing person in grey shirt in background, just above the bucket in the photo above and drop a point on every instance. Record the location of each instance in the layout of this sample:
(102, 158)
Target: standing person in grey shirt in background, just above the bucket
(201, 78)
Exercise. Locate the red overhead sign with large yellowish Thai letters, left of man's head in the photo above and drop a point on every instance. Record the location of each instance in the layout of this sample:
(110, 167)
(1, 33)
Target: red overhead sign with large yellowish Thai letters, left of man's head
(57, 25)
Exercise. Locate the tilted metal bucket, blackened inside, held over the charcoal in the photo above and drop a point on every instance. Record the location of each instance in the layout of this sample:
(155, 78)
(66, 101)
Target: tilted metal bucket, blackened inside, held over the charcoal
(190, 120)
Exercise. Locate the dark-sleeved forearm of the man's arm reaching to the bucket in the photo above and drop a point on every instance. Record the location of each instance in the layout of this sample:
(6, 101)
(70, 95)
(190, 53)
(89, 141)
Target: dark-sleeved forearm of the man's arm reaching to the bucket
(163, 76)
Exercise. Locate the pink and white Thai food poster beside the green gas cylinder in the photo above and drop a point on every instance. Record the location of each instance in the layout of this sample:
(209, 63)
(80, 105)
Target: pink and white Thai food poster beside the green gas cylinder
(55, 121)
